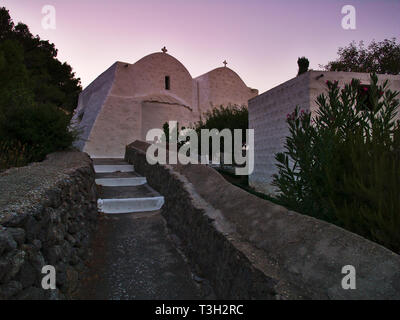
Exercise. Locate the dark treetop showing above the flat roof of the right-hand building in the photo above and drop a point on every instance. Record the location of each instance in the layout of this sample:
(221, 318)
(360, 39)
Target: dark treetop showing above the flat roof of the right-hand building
(379, 57)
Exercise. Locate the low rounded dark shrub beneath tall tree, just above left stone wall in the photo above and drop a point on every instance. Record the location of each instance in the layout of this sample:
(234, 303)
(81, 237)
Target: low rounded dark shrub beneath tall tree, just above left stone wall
(36, 130)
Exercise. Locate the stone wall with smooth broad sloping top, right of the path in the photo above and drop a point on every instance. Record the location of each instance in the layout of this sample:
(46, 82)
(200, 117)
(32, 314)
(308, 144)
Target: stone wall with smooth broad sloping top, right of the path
(250, 248)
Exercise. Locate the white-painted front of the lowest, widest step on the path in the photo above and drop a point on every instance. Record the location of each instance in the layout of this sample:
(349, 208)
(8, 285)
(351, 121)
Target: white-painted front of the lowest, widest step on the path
(130, 205)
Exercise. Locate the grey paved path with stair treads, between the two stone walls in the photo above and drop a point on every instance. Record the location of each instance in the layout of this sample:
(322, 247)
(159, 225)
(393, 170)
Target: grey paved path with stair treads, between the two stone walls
(133, 255)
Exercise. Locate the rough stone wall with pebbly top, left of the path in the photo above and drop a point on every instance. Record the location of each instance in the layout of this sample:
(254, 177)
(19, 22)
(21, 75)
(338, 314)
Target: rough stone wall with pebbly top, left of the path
(47, 211)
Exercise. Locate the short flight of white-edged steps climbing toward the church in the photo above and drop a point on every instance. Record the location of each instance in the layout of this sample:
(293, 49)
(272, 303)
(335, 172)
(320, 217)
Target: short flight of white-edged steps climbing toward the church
(122, 190)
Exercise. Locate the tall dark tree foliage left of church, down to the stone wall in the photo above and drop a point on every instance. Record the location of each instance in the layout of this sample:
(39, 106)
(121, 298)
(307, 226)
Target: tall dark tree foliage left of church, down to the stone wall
(37, 95)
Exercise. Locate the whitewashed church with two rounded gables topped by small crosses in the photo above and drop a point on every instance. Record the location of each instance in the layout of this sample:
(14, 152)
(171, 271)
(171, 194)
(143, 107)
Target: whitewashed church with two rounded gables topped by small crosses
(127, 100)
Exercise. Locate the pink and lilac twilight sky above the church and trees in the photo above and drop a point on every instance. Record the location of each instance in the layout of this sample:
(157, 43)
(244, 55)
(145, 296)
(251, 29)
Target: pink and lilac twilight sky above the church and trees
(260, 39)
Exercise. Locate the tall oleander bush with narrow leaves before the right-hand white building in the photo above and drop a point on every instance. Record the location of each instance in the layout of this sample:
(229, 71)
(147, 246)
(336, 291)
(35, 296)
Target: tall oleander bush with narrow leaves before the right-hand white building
(343, 165)
